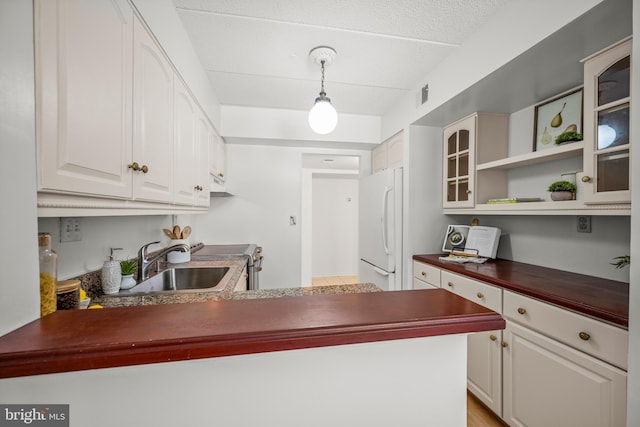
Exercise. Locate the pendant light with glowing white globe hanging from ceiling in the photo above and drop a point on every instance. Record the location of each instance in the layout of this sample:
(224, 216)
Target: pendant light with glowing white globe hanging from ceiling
(323, 118)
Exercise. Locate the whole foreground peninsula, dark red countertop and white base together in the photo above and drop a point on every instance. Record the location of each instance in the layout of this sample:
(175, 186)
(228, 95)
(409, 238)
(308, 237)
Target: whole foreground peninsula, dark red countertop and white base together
(375, 359)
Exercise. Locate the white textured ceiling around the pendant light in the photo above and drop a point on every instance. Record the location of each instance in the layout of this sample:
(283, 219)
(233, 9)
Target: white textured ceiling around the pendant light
(255, 52)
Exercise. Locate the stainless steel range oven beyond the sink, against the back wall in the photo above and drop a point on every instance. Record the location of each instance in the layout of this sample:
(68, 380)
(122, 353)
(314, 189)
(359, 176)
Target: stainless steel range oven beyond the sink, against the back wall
(251, 252)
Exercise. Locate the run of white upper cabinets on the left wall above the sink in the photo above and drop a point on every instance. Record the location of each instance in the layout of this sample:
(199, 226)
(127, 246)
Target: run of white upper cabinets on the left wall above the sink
(117, 128)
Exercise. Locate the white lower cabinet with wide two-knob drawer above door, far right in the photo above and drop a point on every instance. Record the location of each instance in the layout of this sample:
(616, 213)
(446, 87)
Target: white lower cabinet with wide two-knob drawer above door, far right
(561, 368)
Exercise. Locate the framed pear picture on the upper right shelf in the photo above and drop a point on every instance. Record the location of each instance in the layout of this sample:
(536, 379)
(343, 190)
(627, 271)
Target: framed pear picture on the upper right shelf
(558, 117)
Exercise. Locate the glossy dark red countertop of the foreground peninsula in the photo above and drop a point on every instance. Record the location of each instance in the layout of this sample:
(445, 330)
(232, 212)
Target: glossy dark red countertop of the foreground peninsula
(89, 339)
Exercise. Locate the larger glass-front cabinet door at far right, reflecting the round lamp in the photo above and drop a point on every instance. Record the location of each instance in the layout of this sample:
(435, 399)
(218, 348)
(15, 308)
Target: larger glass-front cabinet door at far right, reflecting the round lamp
(607, 82)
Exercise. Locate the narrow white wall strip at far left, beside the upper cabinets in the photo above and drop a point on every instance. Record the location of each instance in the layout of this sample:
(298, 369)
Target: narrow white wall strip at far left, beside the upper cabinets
(19, 295)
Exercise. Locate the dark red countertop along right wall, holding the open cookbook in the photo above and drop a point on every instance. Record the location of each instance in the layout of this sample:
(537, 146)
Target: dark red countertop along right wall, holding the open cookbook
(603, 299)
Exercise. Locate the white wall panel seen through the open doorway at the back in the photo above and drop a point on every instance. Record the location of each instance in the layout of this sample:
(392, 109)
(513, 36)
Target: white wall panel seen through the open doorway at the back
(335, 225)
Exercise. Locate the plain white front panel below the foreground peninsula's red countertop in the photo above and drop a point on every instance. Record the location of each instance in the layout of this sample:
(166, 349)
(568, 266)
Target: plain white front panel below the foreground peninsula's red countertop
(408, 383)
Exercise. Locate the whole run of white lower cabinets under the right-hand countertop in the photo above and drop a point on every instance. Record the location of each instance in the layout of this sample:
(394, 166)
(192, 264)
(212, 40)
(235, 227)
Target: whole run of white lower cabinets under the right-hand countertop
(550, 367)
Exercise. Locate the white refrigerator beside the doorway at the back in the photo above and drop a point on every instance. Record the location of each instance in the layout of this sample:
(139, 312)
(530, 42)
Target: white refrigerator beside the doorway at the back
(380, 229)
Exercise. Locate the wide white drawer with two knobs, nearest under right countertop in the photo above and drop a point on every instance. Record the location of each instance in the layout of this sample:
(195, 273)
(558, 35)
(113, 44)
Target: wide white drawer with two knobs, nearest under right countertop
(599, 339)
